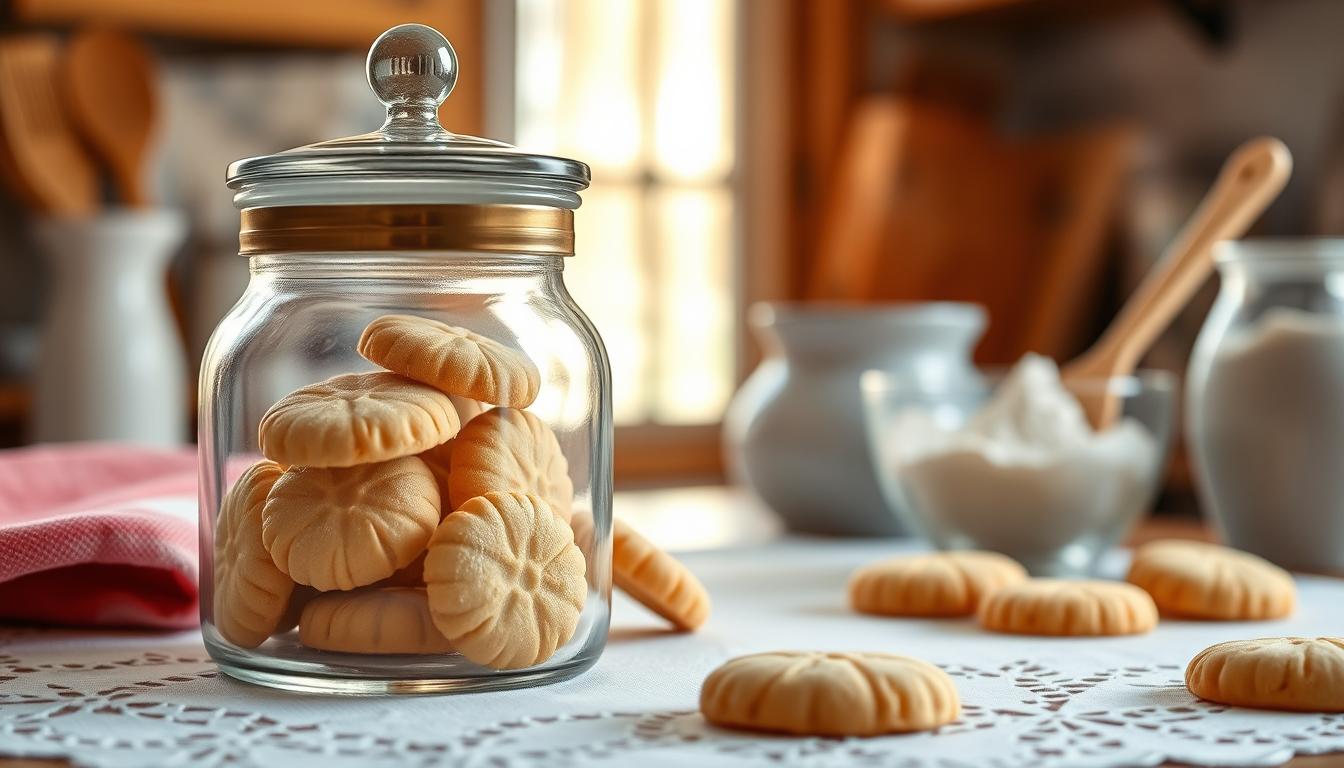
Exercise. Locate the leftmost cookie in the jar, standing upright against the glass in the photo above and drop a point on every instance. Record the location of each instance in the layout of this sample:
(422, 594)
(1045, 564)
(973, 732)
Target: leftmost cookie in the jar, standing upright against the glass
(251, 592)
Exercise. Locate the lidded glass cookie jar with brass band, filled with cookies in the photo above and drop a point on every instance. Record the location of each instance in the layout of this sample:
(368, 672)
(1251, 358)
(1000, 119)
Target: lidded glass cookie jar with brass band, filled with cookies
(407, 420)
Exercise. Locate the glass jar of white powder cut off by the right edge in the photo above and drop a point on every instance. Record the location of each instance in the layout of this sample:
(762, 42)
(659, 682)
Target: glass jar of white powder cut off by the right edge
(1265, 401)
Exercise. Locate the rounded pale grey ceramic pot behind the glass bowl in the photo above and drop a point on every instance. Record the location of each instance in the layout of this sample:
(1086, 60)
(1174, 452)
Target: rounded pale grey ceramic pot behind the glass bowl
(795, 432)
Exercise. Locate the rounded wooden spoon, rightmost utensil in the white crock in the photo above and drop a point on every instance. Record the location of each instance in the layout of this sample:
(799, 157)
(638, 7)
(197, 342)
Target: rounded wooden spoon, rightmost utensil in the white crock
(110, 91)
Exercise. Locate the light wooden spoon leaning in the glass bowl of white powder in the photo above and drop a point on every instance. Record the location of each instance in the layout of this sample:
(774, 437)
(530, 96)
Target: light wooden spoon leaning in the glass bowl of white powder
(1249, 182)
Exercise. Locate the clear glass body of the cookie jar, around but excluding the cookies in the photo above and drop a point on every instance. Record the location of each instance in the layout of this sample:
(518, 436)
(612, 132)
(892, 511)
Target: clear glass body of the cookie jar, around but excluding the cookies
(299, 323)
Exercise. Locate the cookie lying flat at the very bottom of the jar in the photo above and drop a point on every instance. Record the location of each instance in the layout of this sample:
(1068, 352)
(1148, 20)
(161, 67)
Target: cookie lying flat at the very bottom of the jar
(378, 621)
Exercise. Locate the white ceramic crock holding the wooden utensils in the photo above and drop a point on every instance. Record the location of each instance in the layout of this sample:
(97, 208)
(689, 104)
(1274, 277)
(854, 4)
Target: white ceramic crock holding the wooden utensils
(111, 362)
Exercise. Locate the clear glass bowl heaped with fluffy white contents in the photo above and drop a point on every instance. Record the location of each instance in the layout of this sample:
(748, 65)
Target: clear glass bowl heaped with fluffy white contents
(1010, 463)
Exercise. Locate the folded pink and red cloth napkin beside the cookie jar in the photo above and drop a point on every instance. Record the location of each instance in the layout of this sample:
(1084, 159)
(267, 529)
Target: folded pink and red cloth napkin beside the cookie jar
(99, 535)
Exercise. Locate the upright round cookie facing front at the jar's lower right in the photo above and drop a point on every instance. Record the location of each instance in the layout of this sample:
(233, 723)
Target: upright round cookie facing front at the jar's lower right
(506, 582)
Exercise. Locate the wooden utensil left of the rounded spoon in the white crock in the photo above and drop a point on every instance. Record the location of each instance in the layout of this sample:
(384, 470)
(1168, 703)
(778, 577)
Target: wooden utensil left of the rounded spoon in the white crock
(44, 161)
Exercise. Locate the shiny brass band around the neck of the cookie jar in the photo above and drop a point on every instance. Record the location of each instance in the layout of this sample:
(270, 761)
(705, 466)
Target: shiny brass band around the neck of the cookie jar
(494, 229)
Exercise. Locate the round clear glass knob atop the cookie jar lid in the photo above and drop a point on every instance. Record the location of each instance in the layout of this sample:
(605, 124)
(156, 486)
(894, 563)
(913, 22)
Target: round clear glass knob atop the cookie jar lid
(412, 69)
